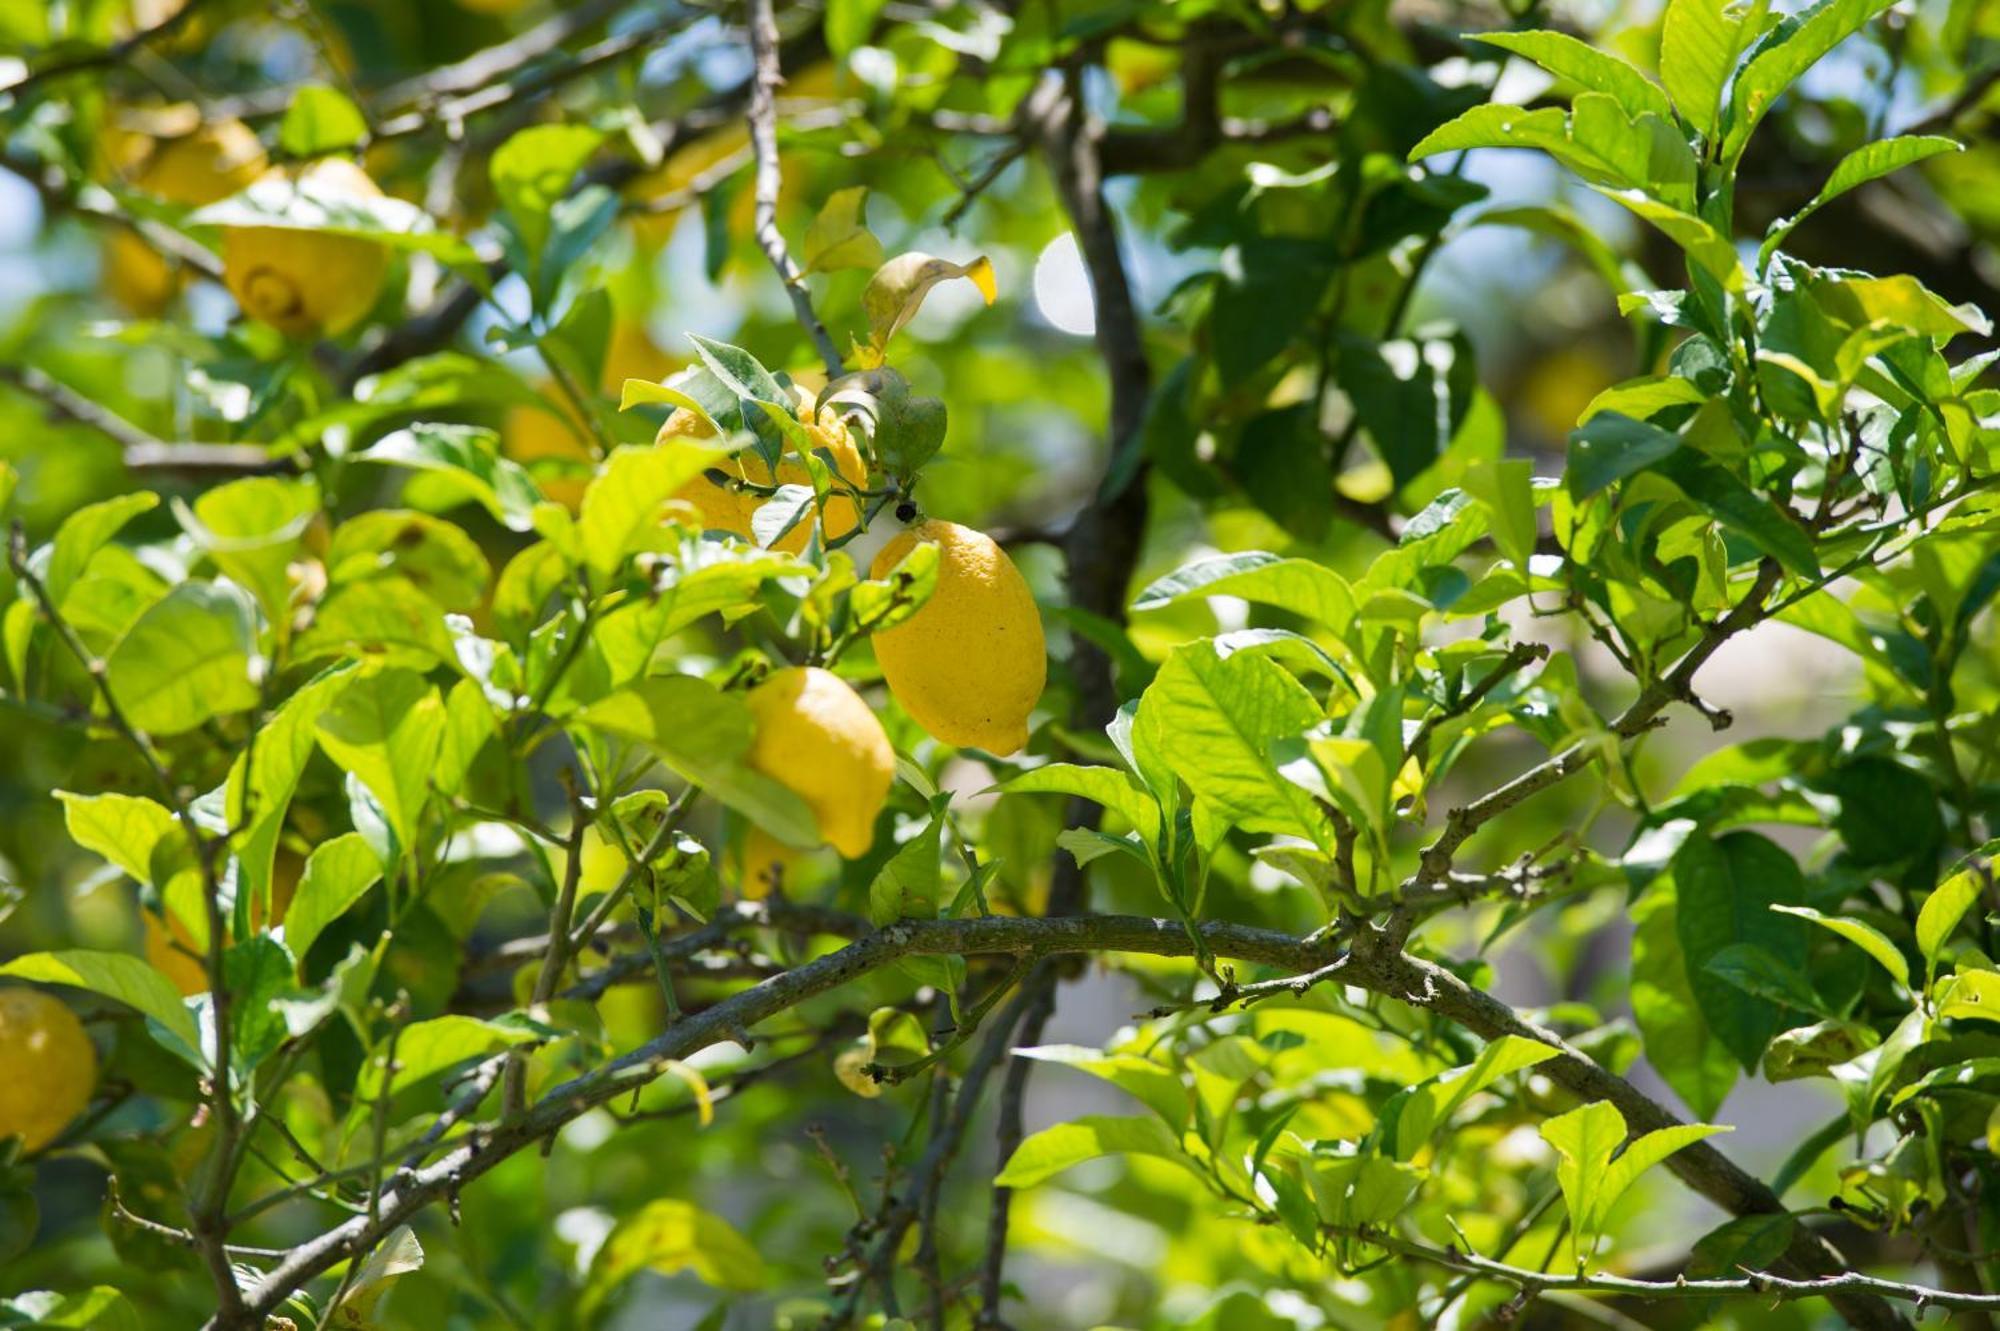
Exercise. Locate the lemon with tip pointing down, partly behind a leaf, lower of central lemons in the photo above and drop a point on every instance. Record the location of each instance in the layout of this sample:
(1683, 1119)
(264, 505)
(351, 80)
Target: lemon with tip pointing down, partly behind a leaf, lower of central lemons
(817, 738)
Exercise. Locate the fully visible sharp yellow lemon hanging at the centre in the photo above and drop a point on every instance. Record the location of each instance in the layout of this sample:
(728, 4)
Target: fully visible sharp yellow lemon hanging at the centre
(971, 665)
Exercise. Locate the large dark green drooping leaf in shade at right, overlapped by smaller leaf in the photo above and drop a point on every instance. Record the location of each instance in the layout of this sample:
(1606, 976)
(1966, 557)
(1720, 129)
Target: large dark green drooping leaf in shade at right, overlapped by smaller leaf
(1727, 888)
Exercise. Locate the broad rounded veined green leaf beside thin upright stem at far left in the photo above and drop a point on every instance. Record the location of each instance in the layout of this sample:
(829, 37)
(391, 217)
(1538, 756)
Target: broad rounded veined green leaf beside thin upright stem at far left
(187, 661)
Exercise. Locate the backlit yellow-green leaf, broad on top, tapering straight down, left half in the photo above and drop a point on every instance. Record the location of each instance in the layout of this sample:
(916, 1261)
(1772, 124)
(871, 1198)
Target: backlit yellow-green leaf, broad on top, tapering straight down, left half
(387, 730)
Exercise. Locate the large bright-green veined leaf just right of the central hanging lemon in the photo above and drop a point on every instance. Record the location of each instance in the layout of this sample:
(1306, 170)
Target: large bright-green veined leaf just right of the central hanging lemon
(1219, 720)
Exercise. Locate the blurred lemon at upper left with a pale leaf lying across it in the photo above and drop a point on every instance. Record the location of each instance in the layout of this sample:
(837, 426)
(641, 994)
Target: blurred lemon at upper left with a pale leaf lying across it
(307, 283)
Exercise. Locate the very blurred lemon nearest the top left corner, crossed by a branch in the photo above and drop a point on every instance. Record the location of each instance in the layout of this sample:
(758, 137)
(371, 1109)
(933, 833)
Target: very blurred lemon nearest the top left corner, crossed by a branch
(191, 171)
